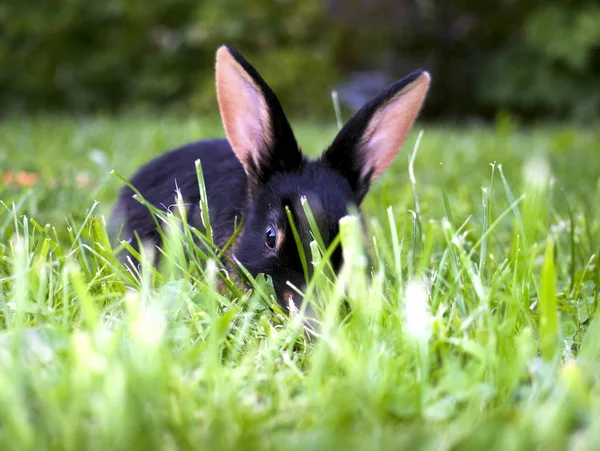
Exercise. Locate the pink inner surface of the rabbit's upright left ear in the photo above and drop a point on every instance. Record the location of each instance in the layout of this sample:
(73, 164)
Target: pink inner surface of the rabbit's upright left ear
(244, 111)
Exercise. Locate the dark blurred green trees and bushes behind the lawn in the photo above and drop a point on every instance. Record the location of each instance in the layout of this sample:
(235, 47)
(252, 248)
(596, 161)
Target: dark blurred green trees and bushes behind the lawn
(532, 58)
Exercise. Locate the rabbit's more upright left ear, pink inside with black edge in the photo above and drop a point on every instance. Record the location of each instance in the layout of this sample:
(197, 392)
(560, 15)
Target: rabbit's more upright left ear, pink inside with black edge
(254, 121)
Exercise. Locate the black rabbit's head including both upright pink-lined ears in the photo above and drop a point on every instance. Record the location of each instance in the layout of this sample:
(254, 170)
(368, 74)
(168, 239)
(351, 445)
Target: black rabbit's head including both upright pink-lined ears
(279, 176)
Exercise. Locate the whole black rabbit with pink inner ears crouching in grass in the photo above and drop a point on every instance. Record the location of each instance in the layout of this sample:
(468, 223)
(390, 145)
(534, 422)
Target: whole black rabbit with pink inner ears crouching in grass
(259, 171)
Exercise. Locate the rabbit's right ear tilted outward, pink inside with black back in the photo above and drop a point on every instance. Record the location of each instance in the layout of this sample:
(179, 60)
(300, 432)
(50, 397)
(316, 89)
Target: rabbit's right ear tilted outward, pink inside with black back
(372, 138)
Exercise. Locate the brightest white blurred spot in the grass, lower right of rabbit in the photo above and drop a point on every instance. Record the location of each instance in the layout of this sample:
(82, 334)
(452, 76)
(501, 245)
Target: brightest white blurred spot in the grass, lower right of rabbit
(416, 310)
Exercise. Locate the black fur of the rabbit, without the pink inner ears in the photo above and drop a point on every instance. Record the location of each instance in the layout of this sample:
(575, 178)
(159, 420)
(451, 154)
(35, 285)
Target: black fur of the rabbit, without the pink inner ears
(259, 194)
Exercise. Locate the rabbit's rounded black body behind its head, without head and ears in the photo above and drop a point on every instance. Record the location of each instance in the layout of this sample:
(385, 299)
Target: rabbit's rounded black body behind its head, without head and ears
(157, 182)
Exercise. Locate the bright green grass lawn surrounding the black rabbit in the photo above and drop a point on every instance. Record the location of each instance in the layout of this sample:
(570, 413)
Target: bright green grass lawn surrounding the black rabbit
(473, 329)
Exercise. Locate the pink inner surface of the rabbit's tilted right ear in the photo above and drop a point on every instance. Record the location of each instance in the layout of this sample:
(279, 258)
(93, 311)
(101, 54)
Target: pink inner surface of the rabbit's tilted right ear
(390, 125)
